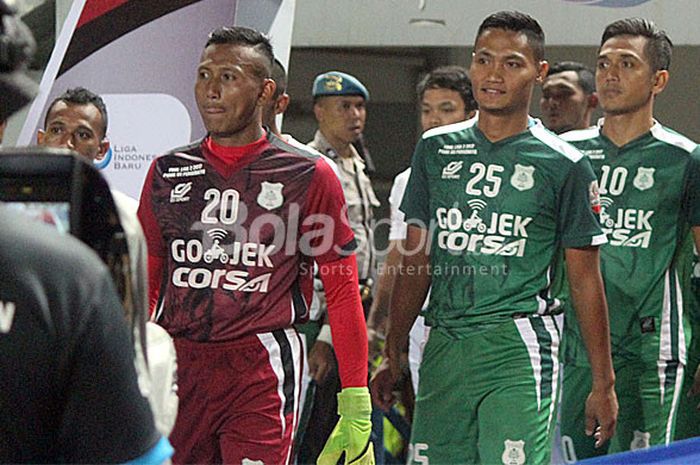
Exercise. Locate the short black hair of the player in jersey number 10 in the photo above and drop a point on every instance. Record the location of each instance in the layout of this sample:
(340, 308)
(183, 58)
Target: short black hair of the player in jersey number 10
(658, 47)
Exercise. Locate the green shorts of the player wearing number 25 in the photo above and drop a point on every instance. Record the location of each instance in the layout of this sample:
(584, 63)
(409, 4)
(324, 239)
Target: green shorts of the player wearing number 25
(488, 397)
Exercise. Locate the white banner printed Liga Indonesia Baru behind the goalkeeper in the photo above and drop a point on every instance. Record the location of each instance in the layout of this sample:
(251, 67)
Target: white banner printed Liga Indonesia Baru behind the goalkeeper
(141, 57)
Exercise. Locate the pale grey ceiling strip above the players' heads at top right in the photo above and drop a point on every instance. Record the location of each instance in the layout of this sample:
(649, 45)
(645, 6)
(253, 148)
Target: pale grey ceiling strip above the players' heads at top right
(382, 23)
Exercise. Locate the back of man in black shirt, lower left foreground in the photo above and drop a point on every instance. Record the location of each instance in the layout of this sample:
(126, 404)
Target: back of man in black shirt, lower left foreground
(67, 376)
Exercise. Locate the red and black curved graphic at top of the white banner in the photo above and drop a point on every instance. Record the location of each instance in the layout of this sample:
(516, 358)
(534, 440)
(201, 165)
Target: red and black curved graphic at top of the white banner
(103, 21)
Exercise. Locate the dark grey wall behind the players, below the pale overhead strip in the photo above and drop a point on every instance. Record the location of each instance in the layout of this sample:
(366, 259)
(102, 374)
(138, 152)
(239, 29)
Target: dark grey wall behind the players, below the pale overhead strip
(391, 76)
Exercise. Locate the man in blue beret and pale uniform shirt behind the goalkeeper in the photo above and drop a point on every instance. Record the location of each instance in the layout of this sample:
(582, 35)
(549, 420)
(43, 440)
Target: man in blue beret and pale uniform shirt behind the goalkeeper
(339, 108)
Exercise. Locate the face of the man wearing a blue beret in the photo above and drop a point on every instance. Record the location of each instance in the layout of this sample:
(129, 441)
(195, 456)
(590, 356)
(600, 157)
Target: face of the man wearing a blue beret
(341, 118)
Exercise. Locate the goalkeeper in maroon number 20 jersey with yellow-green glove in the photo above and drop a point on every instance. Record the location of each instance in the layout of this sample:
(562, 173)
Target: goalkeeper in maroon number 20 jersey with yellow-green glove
(234, 223)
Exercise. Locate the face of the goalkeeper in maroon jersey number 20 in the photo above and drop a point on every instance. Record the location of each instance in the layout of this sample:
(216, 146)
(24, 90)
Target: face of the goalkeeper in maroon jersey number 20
(231, 89)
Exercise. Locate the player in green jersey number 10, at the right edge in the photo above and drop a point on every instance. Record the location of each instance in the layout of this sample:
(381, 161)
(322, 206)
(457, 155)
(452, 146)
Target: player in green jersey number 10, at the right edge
(649, 180)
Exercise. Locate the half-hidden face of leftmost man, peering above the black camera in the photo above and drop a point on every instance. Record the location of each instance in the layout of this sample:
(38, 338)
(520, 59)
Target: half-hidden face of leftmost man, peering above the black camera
(75, 127)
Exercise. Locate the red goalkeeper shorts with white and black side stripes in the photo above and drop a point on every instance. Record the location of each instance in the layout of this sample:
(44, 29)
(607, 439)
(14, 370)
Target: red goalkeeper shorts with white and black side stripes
(238, 400)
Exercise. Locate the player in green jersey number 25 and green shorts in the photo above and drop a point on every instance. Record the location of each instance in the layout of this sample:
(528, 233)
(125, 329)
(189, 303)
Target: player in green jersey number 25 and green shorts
(490, 204)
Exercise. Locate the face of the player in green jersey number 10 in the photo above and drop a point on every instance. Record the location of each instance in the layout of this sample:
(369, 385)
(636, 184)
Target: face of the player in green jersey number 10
(625, 81)
